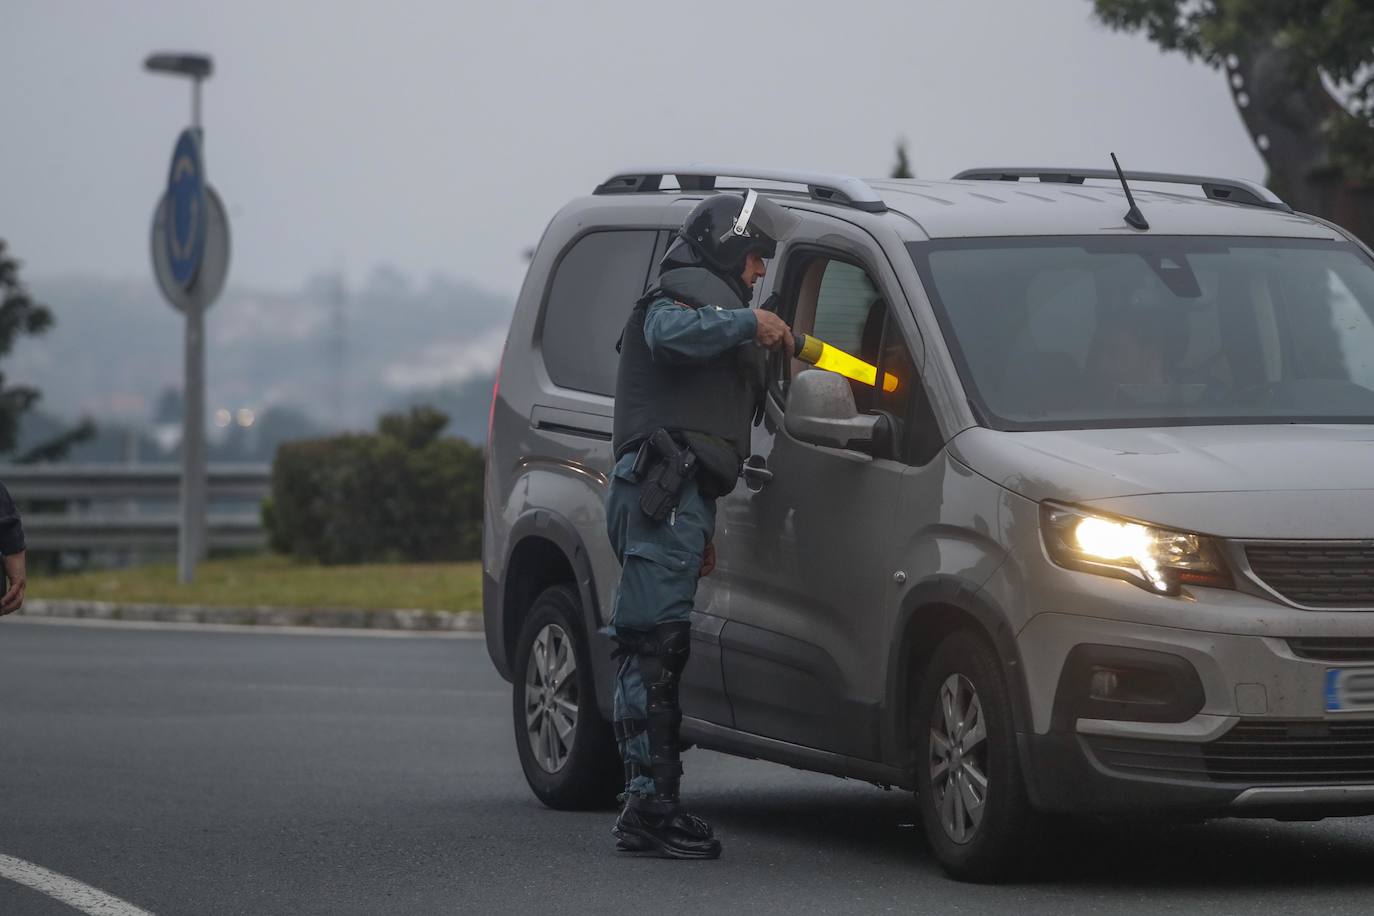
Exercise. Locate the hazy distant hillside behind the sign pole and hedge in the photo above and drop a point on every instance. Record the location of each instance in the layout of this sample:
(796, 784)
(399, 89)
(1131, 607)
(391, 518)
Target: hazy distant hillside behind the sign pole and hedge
(117, 348)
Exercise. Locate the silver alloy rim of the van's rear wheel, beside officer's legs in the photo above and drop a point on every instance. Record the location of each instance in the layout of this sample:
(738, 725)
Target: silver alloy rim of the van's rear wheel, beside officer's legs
(552, 698)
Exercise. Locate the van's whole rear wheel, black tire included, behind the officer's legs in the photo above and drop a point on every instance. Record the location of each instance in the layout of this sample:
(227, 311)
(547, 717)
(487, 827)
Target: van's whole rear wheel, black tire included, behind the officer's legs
(567, 749)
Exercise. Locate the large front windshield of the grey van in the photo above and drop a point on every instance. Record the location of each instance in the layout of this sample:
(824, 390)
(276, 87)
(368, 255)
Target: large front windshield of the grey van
(1081, 333)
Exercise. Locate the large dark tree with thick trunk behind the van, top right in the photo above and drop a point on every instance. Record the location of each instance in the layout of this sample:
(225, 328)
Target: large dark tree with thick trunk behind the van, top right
(1302, 75)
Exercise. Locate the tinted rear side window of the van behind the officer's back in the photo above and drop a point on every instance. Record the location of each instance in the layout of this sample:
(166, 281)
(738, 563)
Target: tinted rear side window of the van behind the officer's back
(594, 289)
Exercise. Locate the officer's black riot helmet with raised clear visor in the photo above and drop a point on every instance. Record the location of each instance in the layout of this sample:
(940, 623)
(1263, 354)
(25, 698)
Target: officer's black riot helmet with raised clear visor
(722, 230)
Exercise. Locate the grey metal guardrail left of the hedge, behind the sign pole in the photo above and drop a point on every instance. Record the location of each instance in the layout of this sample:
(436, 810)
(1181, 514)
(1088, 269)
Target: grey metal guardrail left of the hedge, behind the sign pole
(101, 524)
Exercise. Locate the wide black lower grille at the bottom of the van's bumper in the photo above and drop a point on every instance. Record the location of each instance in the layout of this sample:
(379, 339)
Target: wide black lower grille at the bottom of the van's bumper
(1254, 753)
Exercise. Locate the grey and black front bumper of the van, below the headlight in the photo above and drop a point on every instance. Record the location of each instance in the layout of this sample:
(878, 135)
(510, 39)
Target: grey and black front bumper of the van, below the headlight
(1263, 742)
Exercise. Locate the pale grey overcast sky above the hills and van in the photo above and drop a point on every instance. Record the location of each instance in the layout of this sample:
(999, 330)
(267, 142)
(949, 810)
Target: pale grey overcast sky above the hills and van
(440, 137)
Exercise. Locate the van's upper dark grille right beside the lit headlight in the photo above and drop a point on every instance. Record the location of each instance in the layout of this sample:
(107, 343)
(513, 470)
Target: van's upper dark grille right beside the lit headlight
(1317, 575)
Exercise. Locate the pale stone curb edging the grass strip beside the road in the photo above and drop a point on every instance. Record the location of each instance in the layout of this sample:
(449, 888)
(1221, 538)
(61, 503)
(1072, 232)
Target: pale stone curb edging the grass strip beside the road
(336, 619)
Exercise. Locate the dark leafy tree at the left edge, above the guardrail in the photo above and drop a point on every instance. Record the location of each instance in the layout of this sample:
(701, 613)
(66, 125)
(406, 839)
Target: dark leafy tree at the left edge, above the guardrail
(20, 315)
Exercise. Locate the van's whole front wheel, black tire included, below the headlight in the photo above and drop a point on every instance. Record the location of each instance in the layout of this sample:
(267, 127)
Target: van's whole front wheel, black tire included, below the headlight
(982, 841)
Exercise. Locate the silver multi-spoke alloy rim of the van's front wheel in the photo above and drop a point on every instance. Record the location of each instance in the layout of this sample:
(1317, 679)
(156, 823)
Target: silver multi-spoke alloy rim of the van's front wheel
(958, 759)
